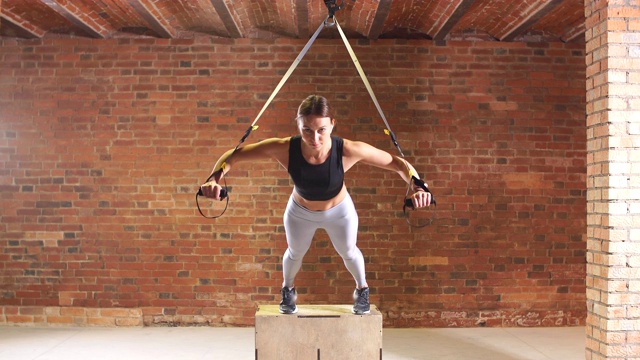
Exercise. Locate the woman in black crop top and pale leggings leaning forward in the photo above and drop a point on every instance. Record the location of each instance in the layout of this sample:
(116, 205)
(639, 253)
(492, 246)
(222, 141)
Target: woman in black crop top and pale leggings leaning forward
(316, 162)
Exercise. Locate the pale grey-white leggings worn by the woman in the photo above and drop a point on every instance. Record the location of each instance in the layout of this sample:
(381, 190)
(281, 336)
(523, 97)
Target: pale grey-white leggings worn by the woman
(340, 222)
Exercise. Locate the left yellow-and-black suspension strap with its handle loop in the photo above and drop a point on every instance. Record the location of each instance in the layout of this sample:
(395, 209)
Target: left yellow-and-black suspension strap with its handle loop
(224, 193)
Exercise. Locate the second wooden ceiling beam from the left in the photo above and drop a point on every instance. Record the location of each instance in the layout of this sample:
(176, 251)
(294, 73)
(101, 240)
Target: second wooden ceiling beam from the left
(81, 17)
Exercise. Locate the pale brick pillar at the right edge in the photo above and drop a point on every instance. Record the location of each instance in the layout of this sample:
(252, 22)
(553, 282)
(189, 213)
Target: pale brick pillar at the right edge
(613, 133)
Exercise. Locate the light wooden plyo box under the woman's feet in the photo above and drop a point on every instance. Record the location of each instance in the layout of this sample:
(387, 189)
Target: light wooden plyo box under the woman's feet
(318, 332)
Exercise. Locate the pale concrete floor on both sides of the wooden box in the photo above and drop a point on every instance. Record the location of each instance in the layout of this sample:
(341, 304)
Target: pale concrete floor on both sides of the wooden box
(158, 343)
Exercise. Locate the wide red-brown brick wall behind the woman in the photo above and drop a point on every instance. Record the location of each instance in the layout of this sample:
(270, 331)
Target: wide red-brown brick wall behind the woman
(104, 143)
